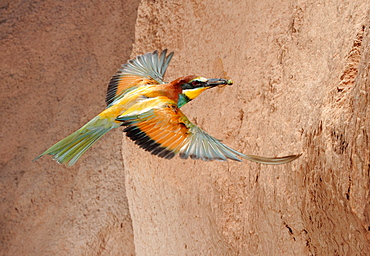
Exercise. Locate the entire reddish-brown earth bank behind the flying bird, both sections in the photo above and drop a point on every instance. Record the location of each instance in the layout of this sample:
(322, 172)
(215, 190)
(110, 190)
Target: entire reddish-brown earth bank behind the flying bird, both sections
(301, 73)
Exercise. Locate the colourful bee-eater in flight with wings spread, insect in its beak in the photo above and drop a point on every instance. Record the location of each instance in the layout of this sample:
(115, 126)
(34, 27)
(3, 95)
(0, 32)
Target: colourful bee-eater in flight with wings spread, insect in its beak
(149, 110)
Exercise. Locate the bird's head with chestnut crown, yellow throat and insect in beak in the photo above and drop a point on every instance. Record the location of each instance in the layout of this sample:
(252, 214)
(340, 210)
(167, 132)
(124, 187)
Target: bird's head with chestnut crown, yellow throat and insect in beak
(193, 86)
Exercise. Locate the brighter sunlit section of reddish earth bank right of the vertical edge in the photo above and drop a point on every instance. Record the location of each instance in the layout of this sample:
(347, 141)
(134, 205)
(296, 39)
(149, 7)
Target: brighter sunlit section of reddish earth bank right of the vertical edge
(301, 73)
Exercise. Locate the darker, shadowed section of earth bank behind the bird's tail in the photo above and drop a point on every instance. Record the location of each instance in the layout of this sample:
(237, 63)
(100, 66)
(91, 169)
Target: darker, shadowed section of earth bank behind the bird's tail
(55, 61)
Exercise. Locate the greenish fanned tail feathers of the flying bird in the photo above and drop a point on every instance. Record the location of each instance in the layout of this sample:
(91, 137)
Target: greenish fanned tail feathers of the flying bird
(69, 150)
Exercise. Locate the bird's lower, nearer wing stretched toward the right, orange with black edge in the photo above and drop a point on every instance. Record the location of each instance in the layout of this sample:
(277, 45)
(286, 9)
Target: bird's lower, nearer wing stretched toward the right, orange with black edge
(165, 131)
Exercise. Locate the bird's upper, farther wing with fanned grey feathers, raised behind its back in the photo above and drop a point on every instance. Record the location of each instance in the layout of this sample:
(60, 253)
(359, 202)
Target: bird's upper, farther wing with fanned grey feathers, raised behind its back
(144, 69)
